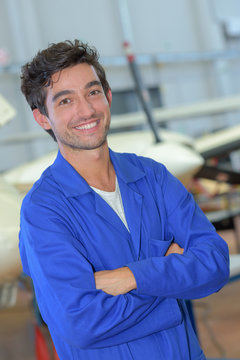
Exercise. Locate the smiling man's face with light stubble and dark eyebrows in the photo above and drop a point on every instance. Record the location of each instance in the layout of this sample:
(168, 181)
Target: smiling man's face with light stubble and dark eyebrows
(78, 109)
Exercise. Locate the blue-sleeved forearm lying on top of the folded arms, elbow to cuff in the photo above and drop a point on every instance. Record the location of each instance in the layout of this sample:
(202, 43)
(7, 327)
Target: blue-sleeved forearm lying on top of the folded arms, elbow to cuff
(195, 274)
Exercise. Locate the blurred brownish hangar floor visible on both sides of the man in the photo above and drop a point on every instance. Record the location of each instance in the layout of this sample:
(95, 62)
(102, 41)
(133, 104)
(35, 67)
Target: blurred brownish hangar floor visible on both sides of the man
(217, 318)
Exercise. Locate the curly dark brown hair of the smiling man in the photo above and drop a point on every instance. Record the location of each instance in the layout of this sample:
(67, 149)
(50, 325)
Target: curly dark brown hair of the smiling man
(36, 75)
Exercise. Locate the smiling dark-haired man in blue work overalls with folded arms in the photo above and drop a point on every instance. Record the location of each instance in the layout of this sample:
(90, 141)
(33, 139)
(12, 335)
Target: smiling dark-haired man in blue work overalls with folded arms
(102, 234)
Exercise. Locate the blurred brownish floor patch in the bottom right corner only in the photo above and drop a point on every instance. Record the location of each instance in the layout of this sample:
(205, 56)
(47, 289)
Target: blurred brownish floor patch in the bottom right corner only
(218, 322)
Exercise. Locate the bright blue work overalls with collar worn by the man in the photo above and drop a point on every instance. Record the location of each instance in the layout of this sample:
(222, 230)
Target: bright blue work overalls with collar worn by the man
(68, 232)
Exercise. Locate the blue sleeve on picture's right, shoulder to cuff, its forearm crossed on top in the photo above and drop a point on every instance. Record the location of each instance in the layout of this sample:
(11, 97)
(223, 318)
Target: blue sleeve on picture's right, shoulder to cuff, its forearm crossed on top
(203, 268)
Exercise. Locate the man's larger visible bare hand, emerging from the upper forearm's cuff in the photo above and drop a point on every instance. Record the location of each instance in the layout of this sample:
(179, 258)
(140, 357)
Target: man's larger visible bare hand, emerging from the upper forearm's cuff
(115, 282)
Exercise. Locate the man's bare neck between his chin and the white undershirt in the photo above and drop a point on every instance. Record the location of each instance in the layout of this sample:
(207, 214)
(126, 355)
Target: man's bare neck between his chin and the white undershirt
(94, 166)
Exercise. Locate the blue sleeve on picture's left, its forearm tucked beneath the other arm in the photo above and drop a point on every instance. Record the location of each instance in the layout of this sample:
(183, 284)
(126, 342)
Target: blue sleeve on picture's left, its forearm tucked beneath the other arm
(65, 288)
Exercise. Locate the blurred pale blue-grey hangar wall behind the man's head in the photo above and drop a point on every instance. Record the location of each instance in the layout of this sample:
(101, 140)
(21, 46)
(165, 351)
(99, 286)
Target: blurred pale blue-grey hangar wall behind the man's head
(173, 28)
